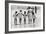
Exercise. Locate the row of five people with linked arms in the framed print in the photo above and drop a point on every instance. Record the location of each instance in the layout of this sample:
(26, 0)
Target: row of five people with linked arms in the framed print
(30, 14)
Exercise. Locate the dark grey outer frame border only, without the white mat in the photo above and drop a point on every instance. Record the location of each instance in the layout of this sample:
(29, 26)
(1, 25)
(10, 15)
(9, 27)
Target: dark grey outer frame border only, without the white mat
(7, 14)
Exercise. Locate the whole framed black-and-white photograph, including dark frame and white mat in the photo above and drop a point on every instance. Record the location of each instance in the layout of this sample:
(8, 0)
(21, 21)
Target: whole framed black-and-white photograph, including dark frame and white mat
(24, 16)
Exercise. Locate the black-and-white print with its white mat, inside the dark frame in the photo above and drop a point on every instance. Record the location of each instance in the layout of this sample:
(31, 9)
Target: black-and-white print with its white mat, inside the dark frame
(26, 16)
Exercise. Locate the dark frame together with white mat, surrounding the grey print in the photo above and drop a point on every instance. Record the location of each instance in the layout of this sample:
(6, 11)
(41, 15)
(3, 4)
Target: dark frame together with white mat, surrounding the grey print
(9, 3)
